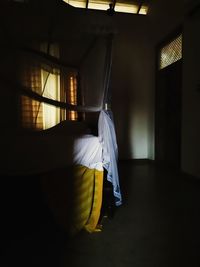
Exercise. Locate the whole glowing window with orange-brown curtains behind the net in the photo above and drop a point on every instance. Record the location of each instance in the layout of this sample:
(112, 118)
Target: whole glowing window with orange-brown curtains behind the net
(46, 82)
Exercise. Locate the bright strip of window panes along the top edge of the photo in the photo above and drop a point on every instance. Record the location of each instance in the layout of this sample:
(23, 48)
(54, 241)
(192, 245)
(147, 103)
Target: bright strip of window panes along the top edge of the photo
(125, 6)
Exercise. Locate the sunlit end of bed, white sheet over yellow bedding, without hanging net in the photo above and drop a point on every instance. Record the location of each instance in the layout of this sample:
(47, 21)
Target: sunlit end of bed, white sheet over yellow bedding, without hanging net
(88, 183)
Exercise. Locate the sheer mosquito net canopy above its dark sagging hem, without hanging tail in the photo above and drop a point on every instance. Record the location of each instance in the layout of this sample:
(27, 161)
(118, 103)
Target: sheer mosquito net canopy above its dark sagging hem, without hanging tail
(63, 41)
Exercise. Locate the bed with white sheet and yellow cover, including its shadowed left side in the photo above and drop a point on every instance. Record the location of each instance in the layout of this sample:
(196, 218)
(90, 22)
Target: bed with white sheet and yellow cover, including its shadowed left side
(71, 164)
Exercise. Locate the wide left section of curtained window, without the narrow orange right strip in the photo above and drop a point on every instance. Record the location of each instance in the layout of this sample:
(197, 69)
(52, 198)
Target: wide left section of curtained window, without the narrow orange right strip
(38, 115)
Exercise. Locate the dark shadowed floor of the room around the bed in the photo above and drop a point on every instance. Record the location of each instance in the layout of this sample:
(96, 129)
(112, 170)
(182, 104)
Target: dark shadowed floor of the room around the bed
(157, 226)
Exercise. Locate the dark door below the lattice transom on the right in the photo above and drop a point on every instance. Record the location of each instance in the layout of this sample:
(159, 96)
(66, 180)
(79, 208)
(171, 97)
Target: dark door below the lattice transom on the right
(168, 115)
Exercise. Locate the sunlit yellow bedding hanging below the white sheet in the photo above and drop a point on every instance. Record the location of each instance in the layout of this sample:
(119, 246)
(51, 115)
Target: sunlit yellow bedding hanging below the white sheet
(88, 187)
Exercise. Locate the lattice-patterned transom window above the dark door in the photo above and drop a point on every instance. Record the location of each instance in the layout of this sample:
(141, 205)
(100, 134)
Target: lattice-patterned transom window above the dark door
(171, 52)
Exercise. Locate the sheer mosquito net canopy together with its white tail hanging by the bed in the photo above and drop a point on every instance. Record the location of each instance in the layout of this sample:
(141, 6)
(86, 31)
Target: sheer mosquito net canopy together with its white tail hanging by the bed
(62, 42)
